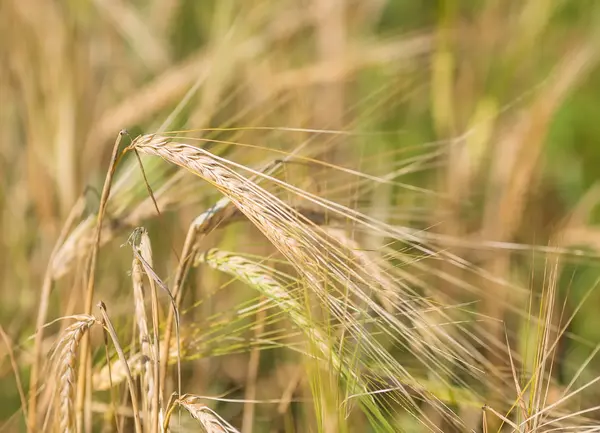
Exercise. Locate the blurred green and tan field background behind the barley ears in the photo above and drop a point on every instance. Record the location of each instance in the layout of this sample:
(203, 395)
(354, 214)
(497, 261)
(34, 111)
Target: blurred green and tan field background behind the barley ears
(506, 90)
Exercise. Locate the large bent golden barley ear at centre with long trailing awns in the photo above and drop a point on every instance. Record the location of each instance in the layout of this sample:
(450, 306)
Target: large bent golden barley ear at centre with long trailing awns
(318, 258)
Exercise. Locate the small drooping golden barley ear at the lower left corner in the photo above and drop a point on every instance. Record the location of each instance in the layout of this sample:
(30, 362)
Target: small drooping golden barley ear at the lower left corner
(66, 359)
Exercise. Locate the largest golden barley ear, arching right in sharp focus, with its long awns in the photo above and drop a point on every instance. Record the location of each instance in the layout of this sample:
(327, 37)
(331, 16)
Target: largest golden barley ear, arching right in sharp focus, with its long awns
(336, 278)
